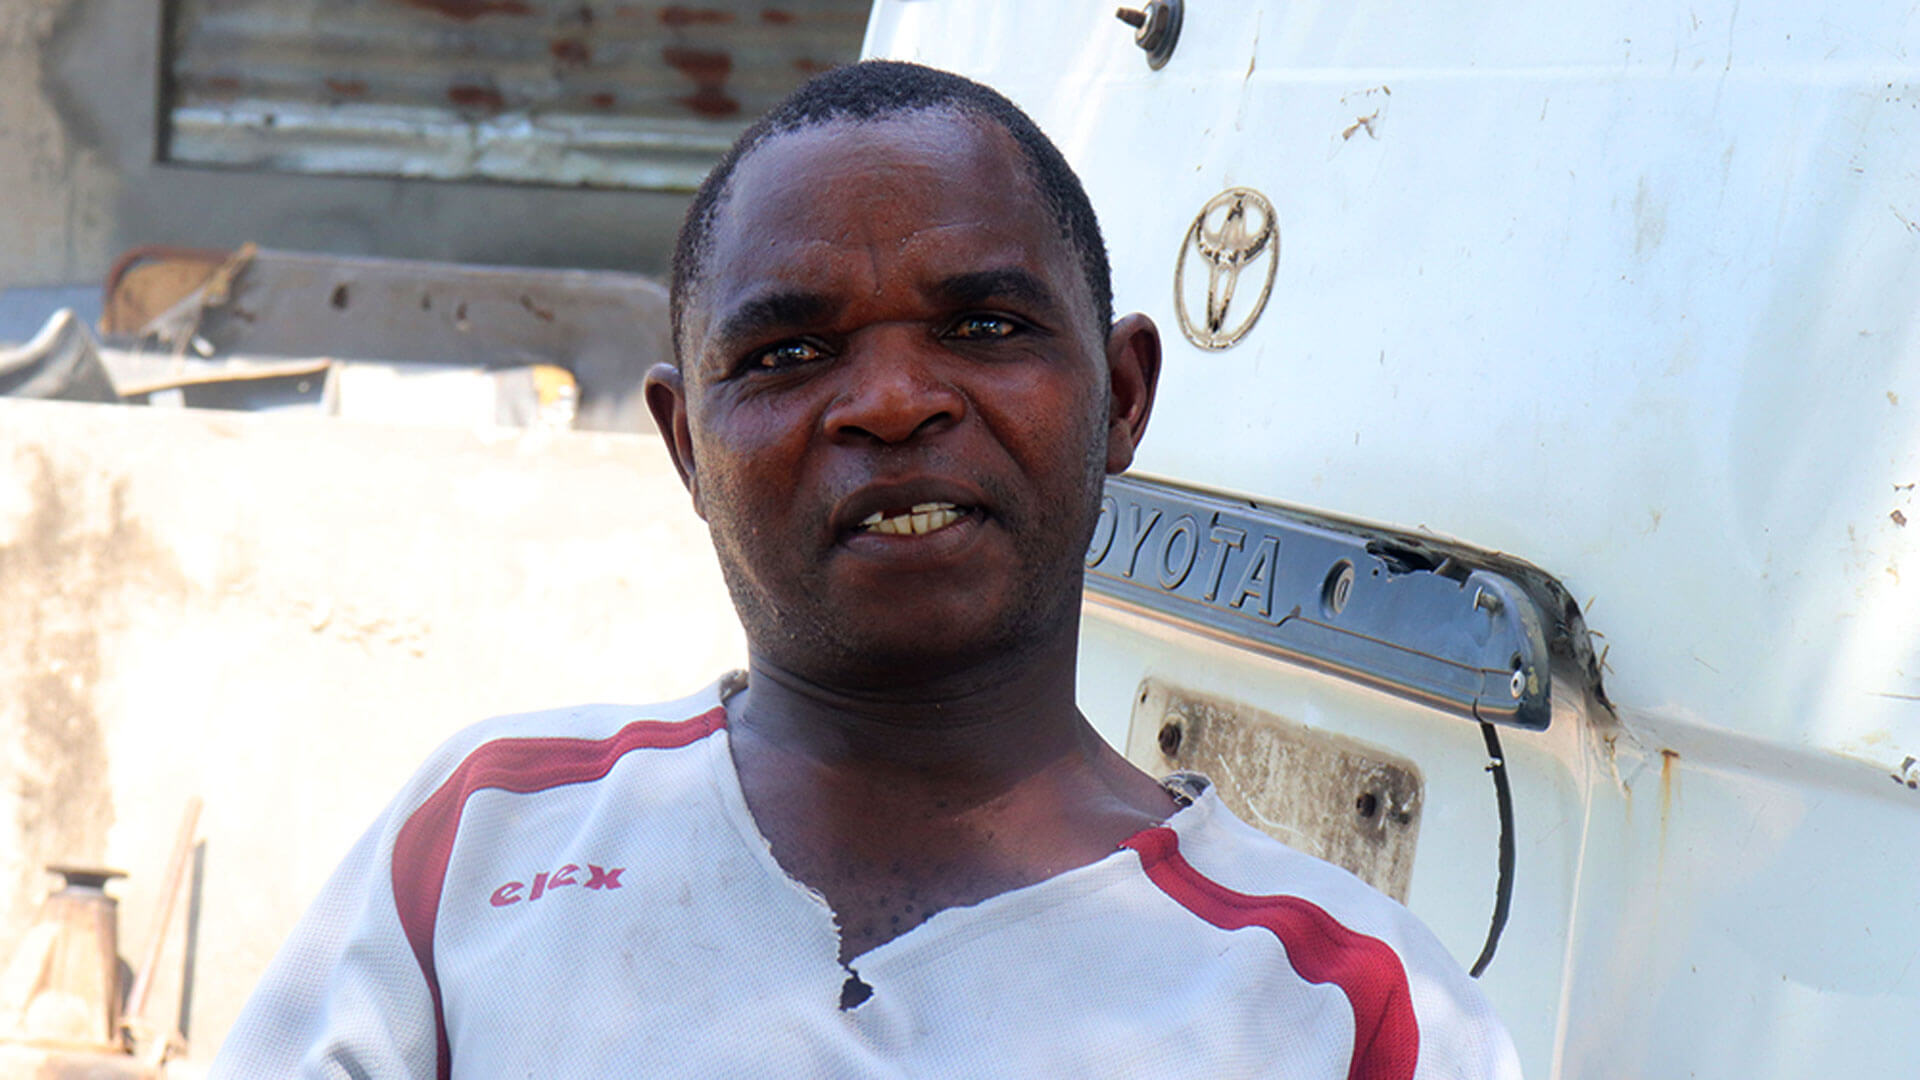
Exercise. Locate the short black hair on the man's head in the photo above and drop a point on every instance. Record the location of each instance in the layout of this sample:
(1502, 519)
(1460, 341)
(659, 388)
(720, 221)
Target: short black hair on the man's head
(880, 89)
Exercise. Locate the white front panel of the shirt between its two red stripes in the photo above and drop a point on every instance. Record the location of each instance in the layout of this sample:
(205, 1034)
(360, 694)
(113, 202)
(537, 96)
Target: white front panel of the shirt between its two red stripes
(677, 946)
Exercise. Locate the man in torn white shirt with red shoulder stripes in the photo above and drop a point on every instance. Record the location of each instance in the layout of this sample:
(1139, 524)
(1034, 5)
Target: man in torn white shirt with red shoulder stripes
(896, 848)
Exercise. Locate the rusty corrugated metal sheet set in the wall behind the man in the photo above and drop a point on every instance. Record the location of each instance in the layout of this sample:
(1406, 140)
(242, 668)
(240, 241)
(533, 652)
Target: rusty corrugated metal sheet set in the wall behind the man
(539, 91)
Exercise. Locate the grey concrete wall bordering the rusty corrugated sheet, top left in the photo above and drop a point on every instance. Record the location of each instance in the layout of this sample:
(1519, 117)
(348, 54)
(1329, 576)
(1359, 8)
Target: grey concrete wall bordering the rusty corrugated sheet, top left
(80, 180)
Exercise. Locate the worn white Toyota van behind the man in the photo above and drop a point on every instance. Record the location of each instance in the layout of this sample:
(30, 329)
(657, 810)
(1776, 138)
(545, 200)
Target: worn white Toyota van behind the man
(1529, 518)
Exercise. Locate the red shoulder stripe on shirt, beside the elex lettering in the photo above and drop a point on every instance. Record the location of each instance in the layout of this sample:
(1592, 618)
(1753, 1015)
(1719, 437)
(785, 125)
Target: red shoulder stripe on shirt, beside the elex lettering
(521, 766)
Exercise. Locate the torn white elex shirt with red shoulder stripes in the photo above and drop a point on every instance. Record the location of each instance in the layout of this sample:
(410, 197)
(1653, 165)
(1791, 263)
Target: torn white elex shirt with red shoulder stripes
(587, 895)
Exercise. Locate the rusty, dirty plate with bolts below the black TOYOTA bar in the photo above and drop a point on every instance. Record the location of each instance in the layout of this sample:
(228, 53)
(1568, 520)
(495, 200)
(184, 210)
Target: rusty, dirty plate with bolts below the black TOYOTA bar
(1326, 795)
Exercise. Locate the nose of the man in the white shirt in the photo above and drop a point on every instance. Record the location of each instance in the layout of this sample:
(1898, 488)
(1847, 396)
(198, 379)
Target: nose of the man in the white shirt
(900, 387)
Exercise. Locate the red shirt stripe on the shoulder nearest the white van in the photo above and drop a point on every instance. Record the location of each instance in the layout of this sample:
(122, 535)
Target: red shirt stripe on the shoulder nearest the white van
(1387, 1039)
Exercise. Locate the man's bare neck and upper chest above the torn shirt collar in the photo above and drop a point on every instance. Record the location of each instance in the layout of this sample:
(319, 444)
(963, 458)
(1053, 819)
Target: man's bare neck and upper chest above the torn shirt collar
(896, 802)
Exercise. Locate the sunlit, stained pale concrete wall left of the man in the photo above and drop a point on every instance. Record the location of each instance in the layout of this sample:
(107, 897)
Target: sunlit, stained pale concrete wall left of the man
(283, 616)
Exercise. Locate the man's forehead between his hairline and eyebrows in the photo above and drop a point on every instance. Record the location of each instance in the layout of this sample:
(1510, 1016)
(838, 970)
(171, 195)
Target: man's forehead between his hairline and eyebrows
(867, 205)
